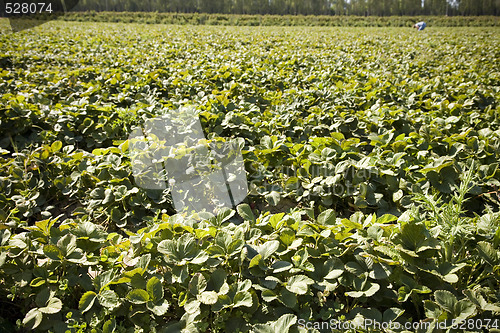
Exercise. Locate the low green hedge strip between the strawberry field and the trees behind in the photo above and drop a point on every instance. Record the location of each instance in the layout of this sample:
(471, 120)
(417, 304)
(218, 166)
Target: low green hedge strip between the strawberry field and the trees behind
(278, 20)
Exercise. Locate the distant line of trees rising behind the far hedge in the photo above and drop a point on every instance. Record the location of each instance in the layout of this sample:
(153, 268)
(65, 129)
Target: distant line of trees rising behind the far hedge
(301, 7)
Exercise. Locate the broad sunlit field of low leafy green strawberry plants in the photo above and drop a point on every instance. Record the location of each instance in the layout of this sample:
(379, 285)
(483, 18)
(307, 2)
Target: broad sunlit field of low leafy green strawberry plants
(371, 156)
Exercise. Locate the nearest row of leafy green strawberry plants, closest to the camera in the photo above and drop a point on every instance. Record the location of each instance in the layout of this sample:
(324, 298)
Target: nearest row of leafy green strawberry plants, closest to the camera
(217, 274)
